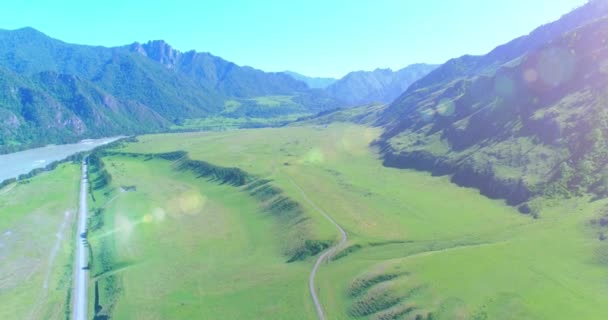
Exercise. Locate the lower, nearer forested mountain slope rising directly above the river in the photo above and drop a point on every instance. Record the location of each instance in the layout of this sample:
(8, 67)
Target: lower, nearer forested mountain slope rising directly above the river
(56, 108)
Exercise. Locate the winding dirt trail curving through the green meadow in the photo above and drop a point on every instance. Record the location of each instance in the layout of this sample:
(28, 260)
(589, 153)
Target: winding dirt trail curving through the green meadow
(327, 253)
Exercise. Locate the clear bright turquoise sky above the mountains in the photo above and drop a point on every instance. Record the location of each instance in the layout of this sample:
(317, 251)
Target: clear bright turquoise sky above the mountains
(313, 37)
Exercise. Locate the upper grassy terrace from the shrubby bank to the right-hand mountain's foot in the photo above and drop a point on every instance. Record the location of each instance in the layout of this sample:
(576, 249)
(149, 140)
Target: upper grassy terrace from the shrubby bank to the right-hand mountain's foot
(418, 245)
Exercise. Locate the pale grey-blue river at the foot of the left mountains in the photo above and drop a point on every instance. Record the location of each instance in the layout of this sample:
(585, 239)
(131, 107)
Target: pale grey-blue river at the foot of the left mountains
(14, 164)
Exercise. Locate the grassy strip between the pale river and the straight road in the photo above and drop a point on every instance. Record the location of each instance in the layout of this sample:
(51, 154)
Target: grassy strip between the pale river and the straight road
(36, 242)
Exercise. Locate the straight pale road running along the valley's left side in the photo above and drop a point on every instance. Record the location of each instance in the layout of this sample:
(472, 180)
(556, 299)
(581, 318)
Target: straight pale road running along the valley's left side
(79, 294)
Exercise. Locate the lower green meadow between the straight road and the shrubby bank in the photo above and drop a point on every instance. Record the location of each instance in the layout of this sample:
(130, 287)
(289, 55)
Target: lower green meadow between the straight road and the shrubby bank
(182, 247)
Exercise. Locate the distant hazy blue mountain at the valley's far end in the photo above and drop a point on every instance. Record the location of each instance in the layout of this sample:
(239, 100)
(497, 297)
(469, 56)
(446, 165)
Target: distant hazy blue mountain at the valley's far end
(380, 85)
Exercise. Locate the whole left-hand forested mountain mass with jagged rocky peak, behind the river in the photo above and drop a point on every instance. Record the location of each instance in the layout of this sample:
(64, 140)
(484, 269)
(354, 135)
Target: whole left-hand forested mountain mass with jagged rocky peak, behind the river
(55, 92)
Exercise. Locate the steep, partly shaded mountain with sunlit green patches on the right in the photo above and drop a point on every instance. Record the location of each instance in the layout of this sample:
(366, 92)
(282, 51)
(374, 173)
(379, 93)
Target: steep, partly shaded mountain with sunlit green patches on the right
(527, 119)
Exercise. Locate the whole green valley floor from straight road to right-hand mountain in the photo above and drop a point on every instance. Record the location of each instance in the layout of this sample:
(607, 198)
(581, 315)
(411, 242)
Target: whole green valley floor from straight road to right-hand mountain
(169, 243)
